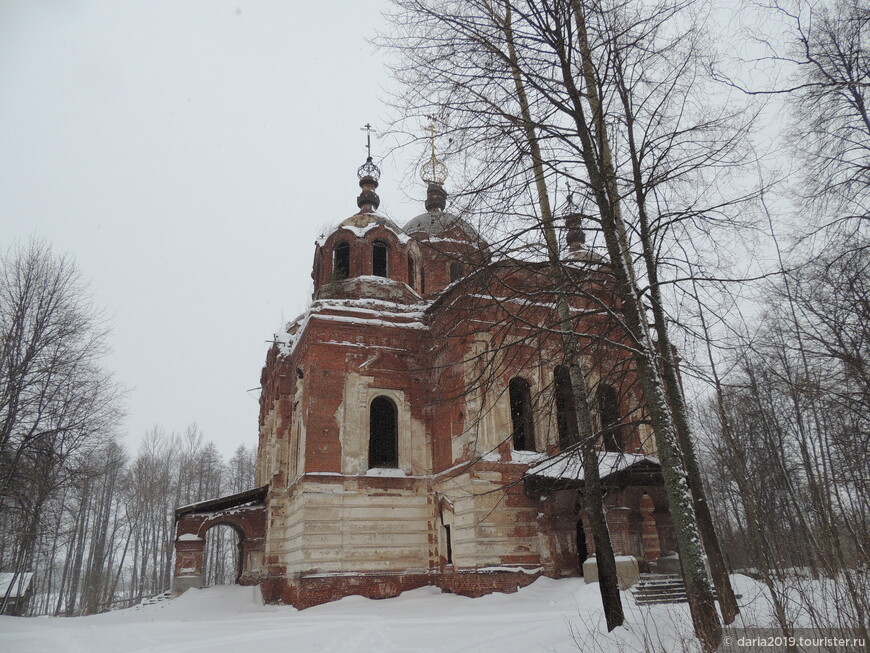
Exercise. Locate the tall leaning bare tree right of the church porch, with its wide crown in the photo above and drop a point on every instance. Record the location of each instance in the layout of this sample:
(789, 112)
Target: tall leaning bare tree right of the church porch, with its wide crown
(608, 94)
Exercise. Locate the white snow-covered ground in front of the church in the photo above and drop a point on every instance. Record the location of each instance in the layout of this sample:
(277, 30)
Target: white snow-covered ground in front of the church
(547, 616)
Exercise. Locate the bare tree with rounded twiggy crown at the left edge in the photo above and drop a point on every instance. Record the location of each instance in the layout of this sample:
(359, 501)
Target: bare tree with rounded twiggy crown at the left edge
(57, 405)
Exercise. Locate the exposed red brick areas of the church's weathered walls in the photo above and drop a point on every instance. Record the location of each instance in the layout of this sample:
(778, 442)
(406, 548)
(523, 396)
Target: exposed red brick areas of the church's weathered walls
(427, 368)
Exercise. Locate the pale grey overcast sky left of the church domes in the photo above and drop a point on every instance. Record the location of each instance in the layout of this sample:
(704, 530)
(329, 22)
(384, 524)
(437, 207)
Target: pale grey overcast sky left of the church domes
(188, 154)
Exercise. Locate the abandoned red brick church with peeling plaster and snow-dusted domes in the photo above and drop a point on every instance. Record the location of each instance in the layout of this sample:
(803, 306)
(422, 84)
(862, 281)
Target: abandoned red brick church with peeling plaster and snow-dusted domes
(414, 423)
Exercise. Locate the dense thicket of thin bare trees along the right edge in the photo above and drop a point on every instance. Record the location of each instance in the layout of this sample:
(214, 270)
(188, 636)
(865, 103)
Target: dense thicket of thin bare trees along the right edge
(790, 441)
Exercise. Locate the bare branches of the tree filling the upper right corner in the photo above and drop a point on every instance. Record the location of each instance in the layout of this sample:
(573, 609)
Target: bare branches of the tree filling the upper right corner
(814, 57)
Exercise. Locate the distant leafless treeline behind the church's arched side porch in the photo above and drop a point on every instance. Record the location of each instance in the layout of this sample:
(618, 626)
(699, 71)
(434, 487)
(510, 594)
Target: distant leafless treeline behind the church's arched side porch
(104, 539)
